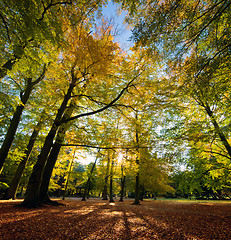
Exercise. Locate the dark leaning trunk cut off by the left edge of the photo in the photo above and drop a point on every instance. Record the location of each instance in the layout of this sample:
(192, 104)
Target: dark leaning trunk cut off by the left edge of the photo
(7, 143)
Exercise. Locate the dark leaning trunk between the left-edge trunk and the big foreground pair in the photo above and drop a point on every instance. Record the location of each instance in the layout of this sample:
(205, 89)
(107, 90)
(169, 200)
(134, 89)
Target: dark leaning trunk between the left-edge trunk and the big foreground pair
(15, 182)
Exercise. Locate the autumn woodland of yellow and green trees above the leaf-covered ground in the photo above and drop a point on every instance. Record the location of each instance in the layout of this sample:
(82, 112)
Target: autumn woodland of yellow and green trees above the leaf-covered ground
(155, 118)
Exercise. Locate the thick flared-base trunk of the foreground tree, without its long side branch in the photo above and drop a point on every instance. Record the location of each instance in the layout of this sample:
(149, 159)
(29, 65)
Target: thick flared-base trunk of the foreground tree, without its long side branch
(32, 193)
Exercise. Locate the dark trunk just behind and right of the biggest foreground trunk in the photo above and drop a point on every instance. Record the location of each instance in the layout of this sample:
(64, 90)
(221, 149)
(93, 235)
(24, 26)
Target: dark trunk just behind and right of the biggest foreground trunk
(53, 157)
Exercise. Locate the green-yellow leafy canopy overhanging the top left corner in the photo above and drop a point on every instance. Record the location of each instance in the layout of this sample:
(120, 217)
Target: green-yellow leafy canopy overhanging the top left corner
(30, 28)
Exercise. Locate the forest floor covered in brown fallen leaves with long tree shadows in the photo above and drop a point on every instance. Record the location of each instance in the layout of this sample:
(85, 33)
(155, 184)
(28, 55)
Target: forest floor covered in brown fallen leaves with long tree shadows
(98, 219)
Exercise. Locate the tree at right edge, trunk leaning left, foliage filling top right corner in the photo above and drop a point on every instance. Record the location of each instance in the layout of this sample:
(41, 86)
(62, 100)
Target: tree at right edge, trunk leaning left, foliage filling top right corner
(193, 39)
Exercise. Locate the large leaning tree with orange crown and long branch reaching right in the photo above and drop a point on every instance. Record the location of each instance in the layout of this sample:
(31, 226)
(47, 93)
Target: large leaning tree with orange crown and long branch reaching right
(81, 72)
